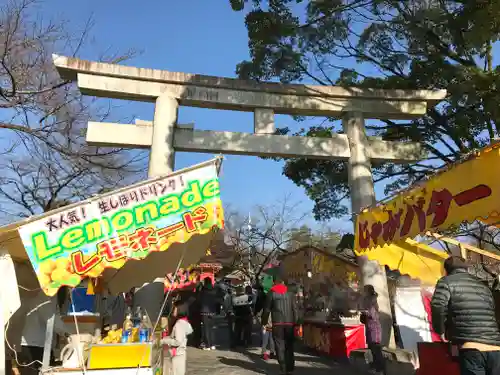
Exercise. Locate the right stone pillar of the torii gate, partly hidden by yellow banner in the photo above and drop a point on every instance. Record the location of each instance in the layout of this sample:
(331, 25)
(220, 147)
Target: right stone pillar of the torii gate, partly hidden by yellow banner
(363, 195)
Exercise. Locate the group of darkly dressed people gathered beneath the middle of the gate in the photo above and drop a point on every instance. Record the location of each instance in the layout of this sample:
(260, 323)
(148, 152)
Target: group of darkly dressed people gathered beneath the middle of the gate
(276, 312)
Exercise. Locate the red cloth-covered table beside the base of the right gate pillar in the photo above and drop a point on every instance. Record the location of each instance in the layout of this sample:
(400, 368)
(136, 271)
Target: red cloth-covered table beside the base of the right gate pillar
(333, 339)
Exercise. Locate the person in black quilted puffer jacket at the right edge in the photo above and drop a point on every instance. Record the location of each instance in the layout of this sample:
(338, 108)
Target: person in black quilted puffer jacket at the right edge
(463, 310)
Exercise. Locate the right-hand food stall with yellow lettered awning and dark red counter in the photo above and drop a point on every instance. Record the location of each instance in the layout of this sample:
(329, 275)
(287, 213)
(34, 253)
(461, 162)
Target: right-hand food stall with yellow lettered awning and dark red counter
(445, 200)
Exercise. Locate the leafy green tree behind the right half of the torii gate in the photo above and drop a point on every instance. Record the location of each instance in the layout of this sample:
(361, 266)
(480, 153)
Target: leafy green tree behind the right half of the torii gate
(419, 44)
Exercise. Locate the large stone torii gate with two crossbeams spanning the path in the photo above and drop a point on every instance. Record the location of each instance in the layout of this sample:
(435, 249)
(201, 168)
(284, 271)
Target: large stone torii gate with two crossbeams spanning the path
(163, 135)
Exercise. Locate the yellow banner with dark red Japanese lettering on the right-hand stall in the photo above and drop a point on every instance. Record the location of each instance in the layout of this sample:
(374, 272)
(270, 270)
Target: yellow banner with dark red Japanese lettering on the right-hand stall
(466, 192)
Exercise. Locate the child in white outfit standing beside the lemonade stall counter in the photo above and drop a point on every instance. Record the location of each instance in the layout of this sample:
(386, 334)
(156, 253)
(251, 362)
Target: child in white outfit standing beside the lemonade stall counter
(177, 342)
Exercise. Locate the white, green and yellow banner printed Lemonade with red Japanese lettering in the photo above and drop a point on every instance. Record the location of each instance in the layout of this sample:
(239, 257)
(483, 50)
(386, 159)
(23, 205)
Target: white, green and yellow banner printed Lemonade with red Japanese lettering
(128, 224)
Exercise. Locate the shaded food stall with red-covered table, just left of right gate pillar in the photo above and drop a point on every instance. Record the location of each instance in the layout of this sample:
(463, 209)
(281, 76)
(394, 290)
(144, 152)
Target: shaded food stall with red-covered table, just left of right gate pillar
(331, 323)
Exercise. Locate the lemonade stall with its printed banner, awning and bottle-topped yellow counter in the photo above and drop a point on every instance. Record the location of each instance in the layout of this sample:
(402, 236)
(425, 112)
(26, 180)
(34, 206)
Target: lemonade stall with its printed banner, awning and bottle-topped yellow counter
(118, 240)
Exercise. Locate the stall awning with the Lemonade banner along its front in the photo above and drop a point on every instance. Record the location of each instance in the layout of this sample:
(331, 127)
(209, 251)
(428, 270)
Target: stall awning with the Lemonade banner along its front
(127, 237)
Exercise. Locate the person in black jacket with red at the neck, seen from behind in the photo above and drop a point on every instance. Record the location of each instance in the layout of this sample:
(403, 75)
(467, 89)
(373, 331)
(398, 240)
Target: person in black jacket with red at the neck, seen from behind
(281, 305)
